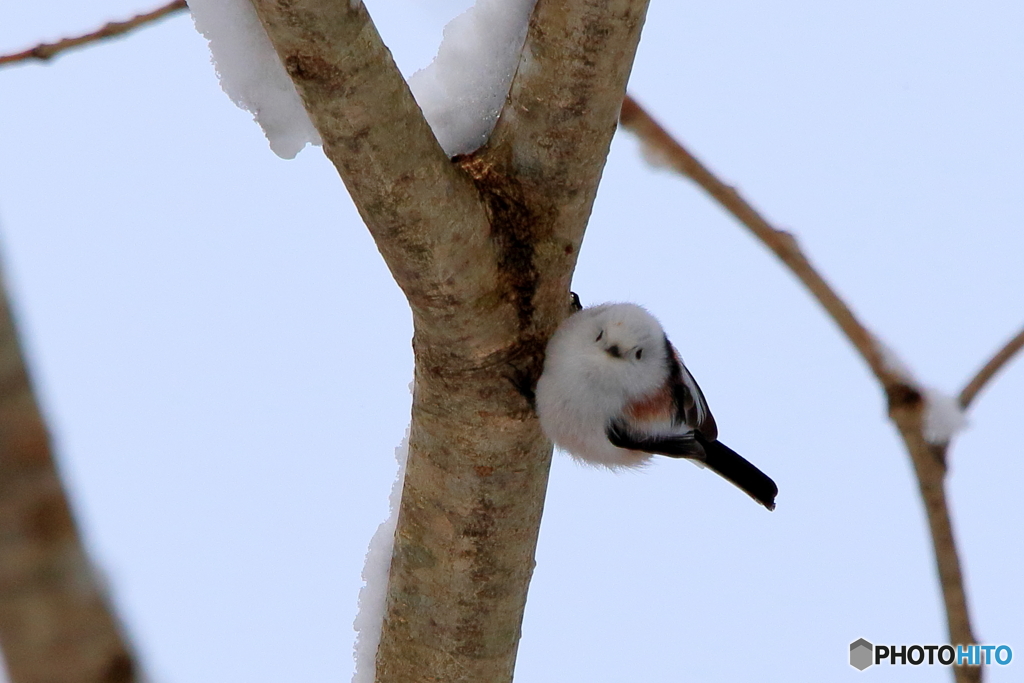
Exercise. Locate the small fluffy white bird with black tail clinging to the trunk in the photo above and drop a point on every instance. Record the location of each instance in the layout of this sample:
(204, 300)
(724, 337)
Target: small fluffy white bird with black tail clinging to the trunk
(615, 392)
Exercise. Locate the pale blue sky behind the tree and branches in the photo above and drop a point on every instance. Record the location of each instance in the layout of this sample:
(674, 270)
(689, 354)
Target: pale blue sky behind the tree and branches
(225, 359)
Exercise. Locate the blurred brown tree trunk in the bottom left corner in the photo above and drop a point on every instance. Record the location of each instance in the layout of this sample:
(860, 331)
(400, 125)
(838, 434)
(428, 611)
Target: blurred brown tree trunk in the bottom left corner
(56, 624)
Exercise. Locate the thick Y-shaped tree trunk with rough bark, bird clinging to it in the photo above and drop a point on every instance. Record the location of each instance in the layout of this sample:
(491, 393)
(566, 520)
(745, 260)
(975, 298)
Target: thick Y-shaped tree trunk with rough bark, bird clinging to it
(484, 246)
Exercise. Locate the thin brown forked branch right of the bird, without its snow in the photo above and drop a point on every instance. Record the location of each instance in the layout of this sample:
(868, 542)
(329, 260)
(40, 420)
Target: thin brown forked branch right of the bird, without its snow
(908, 404)
